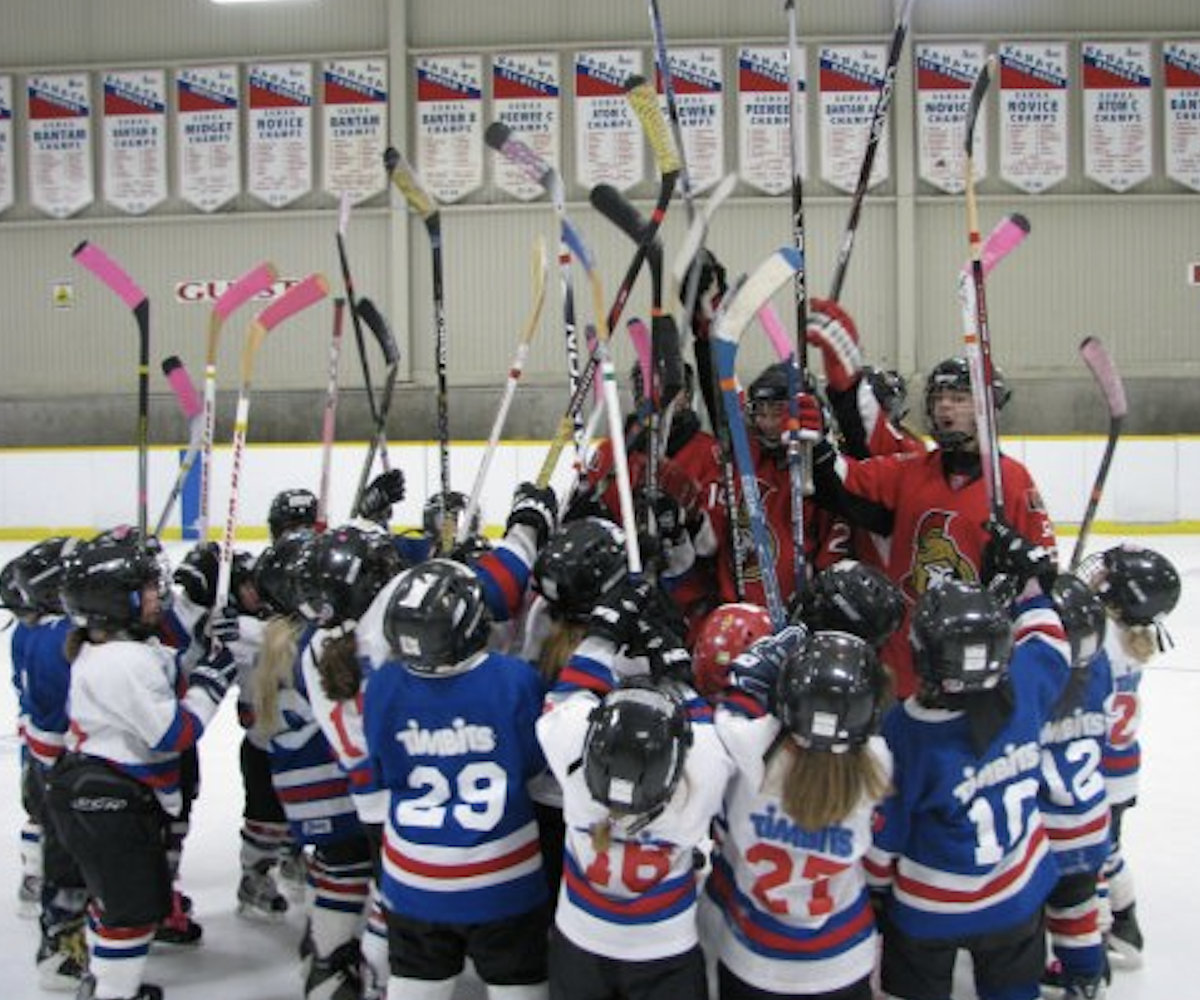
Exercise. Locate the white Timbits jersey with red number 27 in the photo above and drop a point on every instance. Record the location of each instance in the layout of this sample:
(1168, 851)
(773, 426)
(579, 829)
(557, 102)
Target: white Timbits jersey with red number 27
(794, 903)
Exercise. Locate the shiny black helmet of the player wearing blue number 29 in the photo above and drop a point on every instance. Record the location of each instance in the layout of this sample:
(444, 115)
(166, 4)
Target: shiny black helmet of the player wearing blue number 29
(437, 618)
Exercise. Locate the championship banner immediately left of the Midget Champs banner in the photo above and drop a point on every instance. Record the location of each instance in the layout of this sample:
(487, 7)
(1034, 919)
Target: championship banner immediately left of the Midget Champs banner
(135, 140)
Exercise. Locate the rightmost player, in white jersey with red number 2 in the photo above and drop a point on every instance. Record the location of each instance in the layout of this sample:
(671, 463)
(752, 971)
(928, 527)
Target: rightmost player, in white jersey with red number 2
(1139, 589)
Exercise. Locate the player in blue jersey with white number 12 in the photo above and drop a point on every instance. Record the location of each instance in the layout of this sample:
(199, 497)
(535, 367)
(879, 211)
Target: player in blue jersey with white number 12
(1072, 800)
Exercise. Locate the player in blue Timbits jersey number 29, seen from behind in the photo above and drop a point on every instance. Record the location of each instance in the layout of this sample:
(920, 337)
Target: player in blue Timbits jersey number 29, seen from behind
(451, 728)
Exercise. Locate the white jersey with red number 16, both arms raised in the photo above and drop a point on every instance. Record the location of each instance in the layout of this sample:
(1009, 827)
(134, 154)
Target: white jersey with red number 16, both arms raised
(634, 897)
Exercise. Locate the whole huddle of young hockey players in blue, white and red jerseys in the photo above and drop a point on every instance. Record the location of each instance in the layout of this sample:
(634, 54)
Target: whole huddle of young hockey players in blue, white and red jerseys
(603, 785)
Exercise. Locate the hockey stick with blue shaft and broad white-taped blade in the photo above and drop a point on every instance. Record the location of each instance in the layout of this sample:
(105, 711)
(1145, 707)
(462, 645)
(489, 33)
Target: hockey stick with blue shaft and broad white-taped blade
(733, 321)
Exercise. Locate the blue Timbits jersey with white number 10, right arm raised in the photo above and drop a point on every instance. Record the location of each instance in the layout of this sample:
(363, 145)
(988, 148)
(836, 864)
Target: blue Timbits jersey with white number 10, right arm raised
(961, 842)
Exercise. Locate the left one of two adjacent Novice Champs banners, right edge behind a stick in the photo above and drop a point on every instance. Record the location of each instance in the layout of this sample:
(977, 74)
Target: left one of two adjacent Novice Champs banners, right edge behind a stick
(945, 77)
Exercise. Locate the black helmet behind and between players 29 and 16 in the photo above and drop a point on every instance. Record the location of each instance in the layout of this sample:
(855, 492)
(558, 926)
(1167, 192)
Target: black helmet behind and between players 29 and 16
(583, 561)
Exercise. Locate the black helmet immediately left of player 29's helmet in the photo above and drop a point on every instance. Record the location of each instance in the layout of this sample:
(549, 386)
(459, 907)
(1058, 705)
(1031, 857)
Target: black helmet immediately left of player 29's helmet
(341, 572)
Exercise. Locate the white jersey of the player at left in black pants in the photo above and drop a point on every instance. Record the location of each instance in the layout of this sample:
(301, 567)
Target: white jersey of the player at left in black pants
(129, 705)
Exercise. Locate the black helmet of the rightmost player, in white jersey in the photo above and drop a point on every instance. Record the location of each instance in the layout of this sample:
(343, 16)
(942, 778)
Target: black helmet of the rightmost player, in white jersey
(1137, 585)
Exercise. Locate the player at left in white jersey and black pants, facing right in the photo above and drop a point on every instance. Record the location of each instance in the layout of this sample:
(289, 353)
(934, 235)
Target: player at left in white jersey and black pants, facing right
(129, 729)
